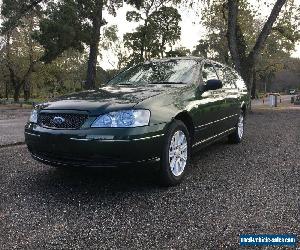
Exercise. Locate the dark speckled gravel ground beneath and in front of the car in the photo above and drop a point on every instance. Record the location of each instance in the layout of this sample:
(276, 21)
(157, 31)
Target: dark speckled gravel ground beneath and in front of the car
(253, 187)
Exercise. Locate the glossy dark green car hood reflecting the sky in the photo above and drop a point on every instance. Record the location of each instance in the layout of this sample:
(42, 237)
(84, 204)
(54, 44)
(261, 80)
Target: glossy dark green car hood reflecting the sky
(108, 98)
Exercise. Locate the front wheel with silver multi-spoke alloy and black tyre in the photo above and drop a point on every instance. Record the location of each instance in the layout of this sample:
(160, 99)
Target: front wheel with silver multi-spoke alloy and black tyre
(176, 154)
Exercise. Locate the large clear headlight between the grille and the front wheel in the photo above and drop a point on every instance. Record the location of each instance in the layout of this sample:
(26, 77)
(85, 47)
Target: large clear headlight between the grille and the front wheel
(123, 119)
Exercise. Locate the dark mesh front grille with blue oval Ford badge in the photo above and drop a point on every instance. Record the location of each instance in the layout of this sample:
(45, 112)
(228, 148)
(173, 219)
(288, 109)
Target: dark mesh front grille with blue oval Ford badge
(61, 121)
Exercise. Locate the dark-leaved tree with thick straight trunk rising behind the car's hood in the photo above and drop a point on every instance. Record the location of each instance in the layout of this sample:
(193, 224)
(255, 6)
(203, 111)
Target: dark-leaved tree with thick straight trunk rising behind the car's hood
(71, 24)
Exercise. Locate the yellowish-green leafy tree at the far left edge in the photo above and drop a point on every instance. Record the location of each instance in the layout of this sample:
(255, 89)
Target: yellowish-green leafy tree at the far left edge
(21, 53)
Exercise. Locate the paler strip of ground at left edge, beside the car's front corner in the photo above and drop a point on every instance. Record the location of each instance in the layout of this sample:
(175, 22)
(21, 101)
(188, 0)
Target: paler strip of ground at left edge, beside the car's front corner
(12, 122)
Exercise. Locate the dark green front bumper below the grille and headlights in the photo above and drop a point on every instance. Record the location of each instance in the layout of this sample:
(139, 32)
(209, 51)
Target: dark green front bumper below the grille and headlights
(95, 146)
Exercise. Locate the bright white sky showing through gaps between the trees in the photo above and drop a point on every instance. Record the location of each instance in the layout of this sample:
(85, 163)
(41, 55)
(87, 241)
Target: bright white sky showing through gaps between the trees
(191, 29)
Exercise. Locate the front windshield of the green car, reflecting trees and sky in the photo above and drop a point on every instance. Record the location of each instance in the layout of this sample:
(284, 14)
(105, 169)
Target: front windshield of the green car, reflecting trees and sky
(160, 72)
